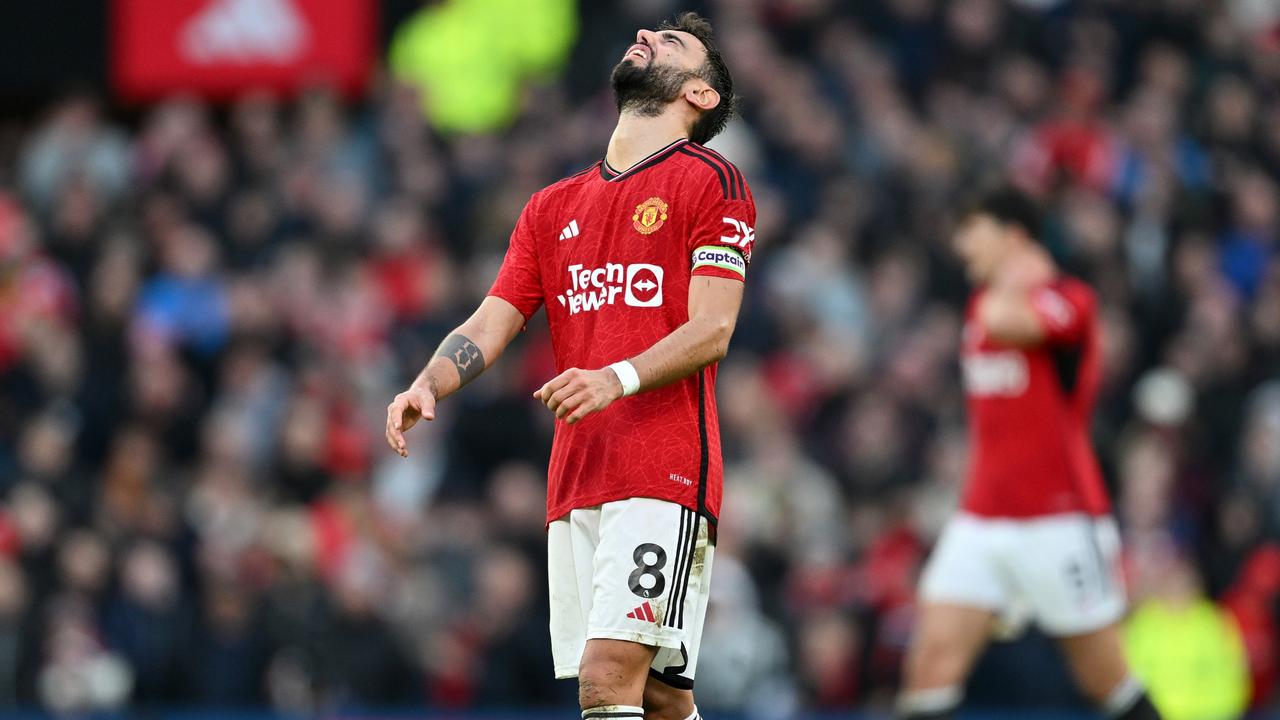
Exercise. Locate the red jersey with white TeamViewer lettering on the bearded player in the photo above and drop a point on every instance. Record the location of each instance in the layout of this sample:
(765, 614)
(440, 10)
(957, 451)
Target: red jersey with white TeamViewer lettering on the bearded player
(611, 257)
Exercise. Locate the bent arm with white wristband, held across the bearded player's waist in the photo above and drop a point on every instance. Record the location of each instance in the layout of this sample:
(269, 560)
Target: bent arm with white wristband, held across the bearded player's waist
(714, 304)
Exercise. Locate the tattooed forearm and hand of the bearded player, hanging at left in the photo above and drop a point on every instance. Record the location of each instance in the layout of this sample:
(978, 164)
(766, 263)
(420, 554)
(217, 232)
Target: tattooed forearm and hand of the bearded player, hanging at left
(472, 348)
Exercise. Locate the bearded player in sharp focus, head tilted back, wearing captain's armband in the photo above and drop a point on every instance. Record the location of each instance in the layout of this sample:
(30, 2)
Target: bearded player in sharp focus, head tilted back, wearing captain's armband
(641, 262)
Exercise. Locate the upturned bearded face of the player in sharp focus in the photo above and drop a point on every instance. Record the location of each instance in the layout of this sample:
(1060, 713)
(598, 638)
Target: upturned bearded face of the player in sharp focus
(656, 69)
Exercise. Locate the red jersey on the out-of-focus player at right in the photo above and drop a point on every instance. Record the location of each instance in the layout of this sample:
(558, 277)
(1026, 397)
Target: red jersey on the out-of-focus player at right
(1030, 412)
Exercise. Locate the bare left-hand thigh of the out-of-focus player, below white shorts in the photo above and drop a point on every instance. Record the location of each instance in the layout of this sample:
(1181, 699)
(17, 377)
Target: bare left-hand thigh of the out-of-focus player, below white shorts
(947, 642)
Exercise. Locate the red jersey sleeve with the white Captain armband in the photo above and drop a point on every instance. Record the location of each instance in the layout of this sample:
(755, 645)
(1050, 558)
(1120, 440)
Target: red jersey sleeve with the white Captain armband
(724, 230)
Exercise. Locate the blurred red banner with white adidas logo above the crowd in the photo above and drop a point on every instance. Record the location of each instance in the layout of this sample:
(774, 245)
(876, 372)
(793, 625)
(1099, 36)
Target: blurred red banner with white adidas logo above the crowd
(222, 48)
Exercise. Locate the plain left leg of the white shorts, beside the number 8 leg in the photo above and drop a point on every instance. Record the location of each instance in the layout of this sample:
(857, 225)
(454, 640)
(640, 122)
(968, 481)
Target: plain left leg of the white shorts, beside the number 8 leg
(572, 546)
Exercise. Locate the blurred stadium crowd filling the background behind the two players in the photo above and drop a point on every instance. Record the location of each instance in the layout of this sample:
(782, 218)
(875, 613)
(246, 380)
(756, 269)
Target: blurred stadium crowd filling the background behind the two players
(232, 230)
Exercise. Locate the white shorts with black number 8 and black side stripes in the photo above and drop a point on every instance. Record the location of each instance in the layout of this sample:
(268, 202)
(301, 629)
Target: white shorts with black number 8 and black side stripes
(633, 571)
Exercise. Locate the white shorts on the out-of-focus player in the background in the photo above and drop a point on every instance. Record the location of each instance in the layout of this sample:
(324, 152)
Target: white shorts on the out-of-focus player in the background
(1060, 571)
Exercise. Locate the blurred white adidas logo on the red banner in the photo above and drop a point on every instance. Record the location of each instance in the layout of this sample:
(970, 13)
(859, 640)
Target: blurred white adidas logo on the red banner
(245, 31)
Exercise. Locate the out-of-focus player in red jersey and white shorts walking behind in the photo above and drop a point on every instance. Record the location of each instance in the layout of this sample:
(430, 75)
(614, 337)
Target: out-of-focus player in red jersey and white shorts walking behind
(1035, 534)
